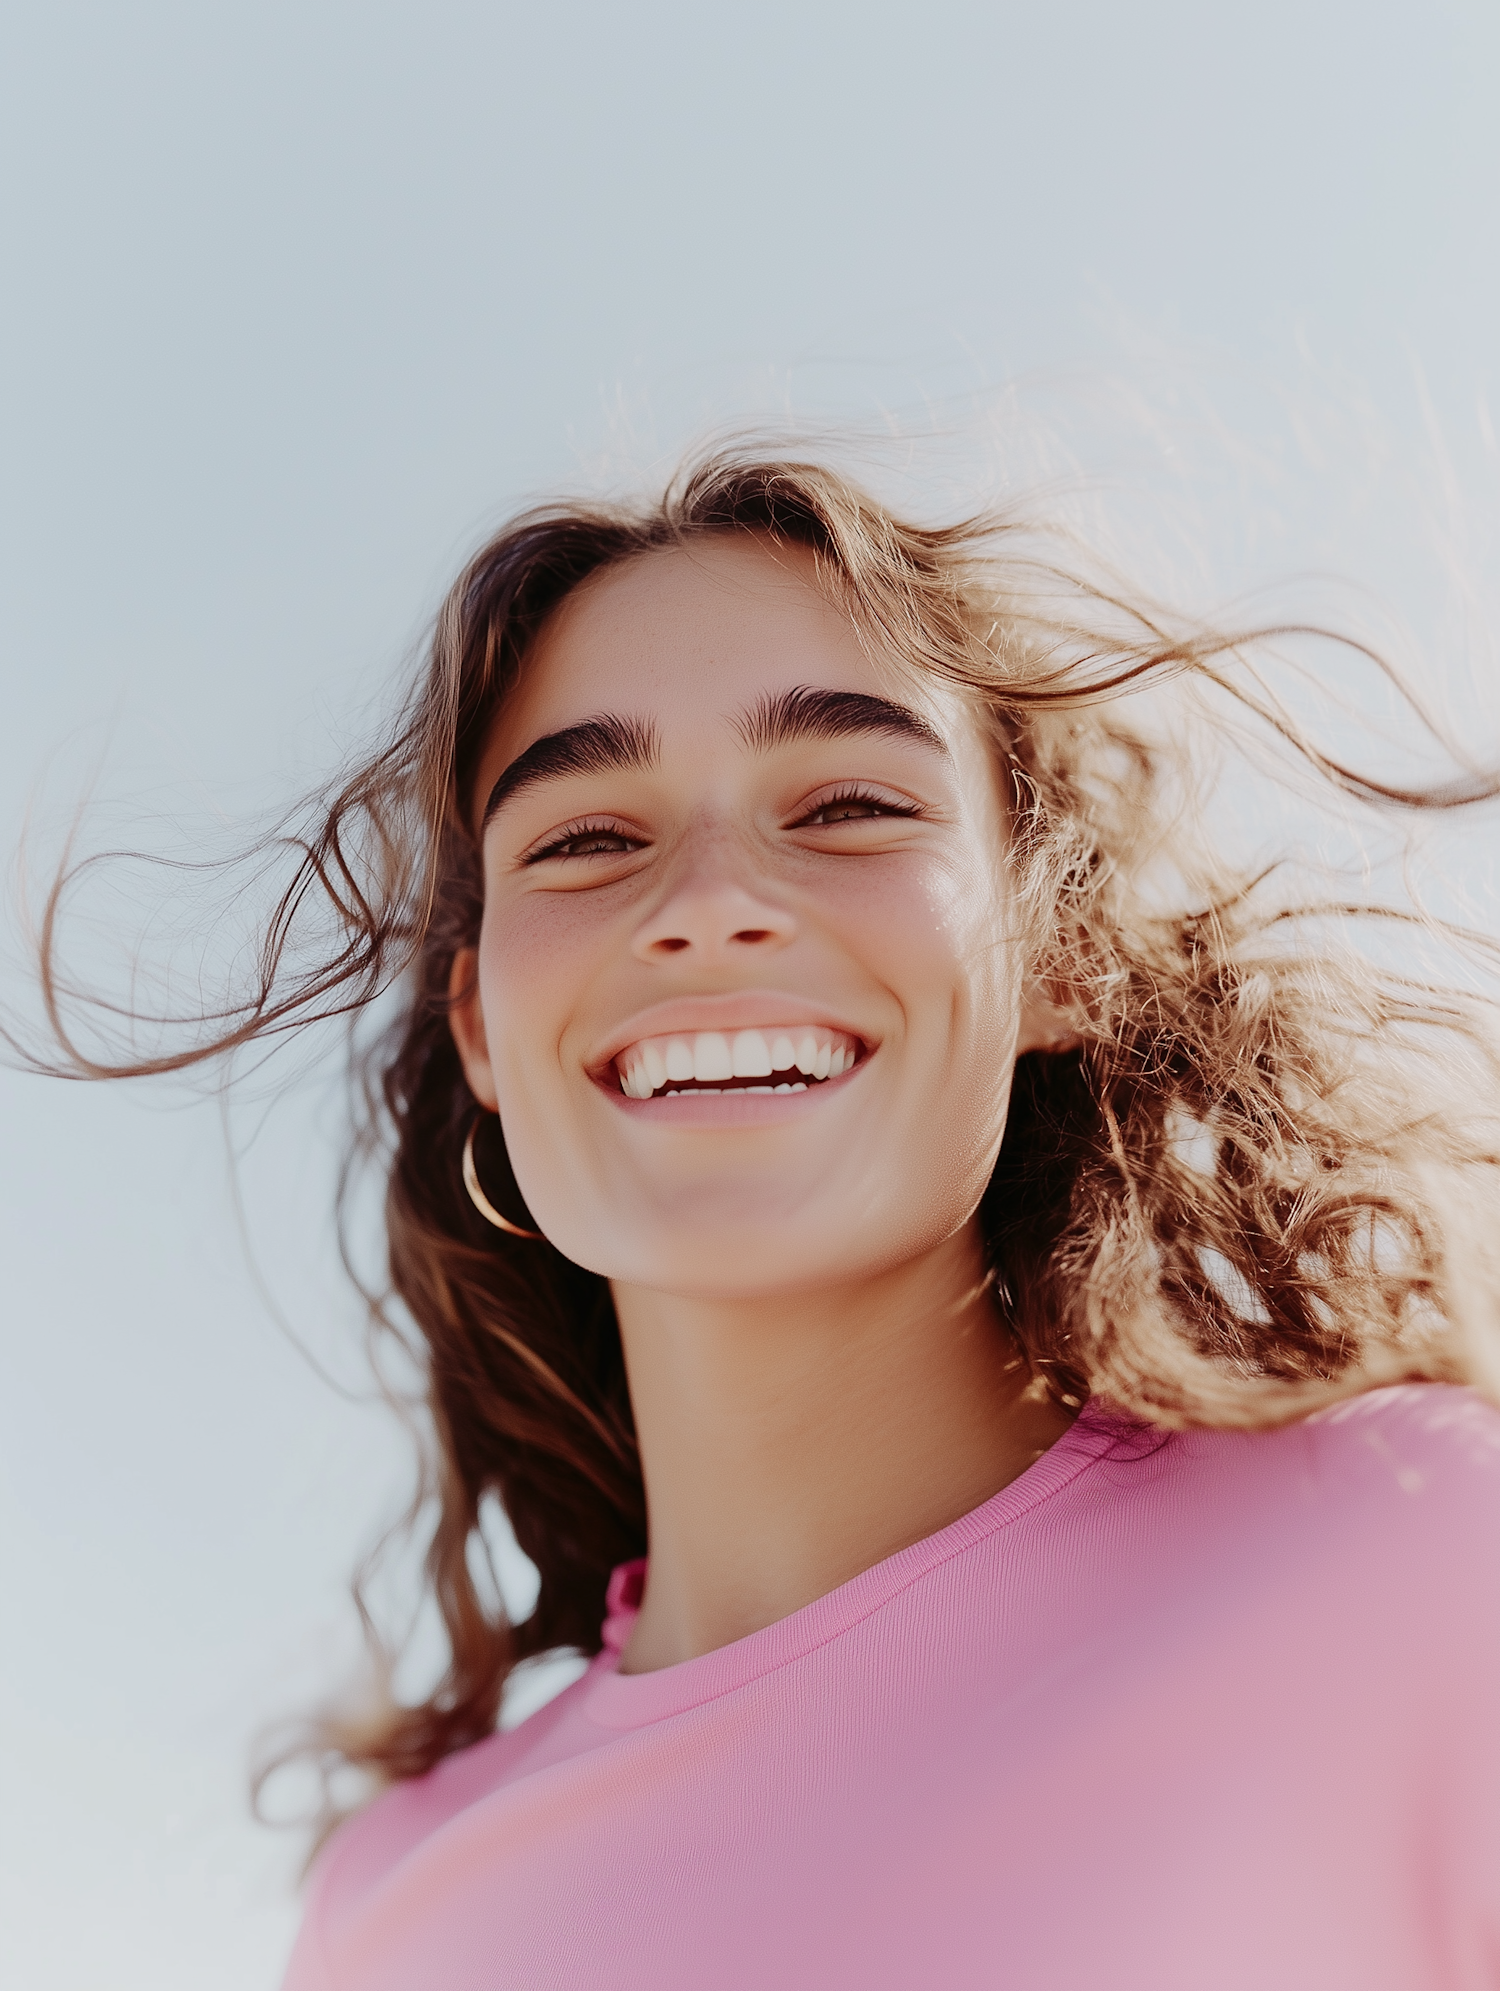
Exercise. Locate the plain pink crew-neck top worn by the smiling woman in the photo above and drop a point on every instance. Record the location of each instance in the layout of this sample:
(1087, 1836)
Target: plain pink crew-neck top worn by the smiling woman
(1198, 1711)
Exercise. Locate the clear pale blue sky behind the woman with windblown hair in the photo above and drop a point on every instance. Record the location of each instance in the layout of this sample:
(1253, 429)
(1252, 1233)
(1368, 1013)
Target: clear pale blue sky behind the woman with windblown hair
(298, 304)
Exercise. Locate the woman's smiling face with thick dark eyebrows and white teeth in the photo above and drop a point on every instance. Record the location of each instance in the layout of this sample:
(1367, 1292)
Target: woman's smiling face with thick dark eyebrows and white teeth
(748, 996)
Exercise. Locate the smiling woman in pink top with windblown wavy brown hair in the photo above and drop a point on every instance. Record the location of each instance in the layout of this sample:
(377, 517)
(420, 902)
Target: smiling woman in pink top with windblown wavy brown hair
(965, 1309)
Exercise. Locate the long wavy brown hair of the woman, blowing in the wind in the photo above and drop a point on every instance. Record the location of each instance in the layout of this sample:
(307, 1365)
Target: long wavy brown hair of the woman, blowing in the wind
(1228, 1206)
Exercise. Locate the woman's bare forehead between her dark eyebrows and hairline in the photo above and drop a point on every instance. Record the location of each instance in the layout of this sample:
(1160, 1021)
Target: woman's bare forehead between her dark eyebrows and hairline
(694, 634)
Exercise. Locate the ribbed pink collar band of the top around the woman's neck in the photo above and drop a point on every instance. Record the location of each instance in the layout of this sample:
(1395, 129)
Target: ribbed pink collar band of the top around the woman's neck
(630, 1701)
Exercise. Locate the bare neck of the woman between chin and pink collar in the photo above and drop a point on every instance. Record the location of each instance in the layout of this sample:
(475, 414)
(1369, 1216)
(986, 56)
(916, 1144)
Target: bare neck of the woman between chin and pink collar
(796, 1440)
